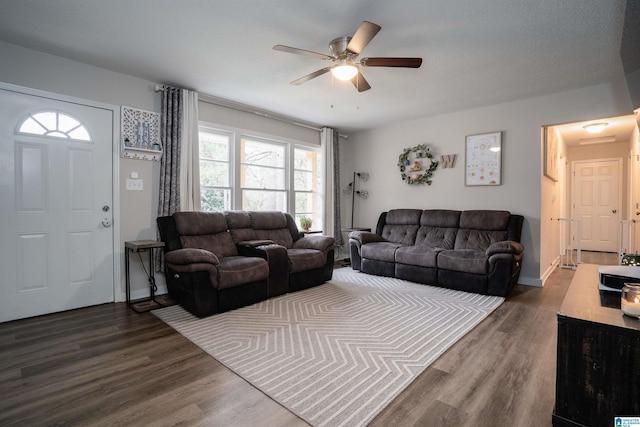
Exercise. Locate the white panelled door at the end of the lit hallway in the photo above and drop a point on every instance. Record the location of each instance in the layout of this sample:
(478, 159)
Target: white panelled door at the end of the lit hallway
(596, 203)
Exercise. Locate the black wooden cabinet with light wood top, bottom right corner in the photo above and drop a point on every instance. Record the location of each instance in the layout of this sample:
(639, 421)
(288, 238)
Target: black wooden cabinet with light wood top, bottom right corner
(598, 356)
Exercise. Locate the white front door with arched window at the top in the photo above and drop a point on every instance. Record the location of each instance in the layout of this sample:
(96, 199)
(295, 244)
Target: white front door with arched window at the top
(56, 240)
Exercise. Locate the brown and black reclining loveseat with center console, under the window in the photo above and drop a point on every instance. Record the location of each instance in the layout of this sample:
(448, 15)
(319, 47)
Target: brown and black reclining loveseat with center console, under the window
(217, 261)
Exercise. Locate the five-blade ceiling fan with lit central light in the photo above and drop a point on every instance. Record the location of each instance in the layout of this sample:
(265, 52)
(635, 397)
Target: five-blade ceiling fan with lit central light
(344, 53)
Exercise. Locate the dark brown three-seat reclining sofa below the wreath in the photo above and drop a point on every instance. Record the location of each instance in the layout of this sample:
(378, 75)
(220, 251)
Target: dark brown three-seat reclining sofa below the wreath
(475, 251)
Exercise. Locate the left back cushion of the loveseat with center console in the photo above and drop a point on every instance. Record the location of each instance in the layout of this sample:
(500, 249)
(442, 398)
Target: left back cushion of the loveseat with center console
(205, 230)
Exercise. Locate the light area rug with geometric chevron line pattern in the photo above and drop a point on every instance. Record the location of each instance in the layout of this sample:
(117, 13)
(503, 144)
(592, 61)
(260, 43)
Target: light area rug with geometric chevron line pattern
(339, 353)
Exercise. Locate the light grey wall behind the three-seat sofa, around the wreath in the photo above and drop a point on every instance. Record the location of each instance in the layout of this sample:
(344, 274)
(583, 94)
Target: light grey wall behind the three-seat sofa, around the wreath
(376, 151)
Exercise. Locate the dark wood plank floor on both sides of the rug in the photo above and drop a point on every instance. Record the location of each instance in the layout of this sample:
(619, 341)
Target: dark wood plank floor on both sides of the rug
(107, 365)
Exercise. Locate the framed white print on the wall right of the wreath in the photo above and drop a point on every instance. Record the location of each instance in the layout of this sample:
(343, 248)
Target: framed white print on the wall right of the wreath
(483, 159)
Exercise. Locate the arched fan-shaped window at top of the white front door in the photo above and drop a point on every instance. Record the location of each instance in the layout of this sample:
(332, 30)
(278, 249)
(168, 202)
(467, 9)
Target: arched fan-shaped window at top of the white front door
(54, 124)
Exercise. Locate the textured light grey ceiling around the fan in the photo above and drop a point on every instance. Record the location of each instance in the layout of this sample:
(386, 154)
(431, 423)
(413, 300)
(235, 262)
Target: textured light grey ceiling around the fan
(476, 52)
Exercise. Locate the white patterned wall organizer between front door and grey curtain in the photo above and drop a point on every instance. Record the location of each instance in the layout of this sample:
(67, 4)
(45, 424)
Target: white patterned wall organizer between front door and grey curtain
(140, 134)
